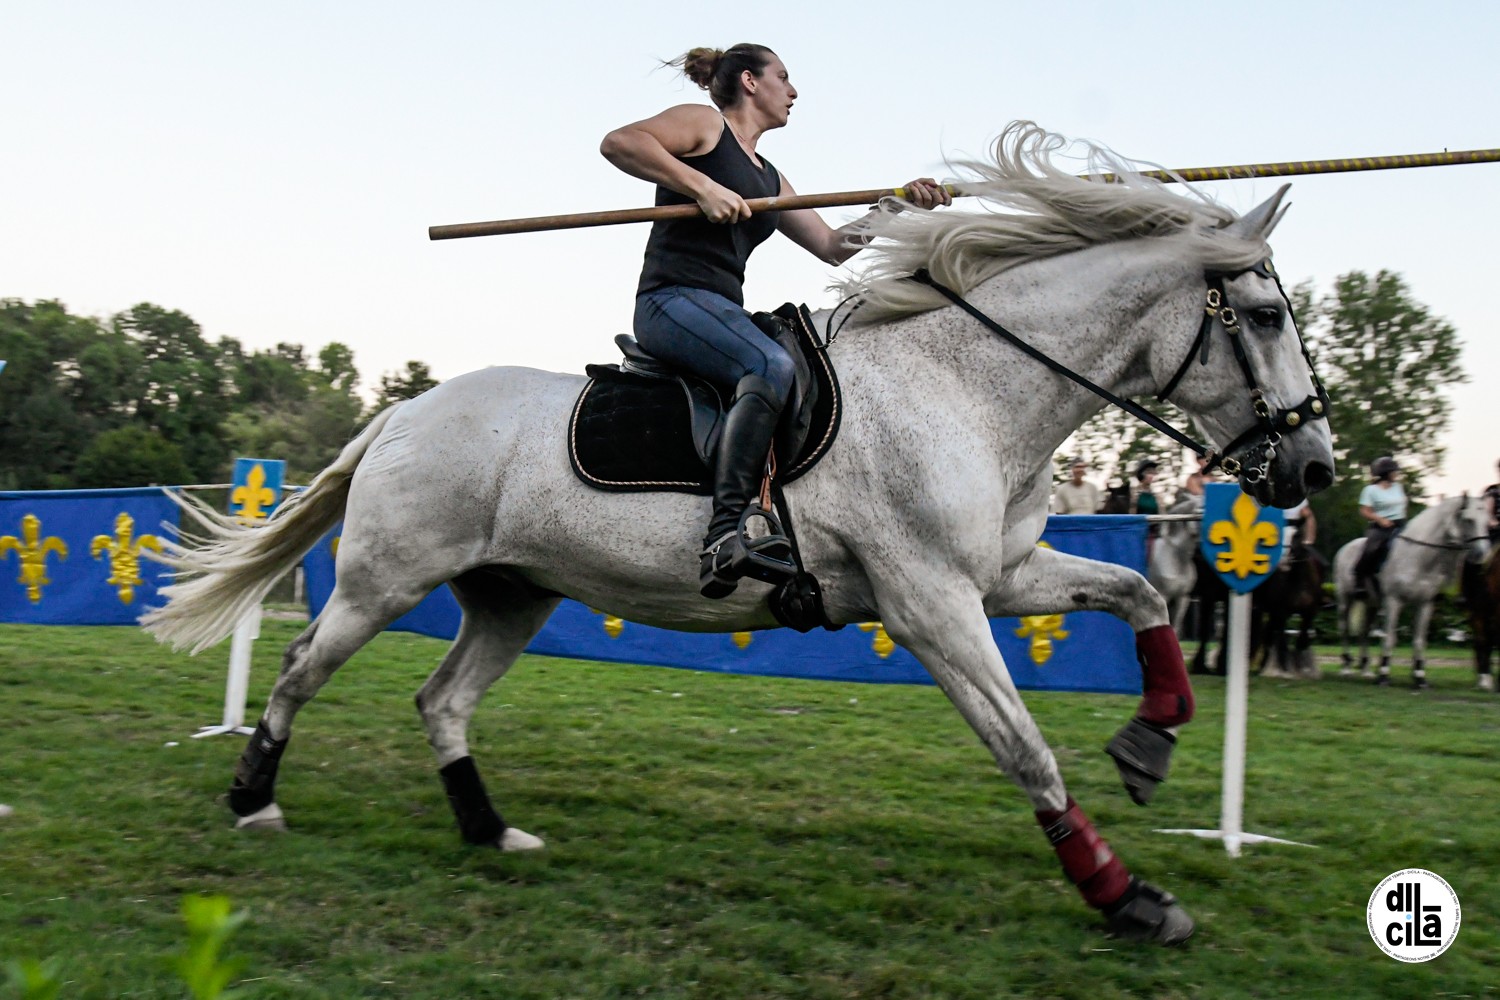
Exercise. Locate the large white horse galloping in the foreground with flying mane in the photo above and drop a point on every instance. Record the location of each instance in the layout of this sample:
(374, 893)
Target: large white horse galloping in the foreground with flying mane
(925, 513)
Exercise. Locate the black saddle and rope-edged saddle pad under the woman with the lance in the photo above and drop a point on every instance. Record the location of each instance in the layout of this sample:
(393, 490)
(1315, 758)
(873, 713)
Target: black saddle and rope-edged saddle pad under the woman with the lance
(646, 427)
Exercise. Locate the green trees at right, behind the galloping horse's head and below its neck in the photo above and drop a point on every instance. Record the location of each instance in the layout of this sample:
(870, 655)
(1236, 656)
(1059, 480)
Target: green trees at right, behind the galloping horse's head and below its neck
(1385, 361)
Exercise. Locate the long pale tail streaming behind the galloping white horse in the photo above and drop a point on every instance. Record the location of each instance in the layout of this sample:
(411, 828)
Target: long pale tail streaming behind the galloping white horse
(230, 567)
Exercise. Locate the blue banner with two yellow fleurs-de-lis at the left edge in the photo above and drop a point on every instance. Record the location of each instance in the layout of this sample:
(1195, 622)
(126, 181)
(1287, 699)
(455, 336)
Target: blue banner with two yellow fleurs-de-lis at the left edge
(74, 557)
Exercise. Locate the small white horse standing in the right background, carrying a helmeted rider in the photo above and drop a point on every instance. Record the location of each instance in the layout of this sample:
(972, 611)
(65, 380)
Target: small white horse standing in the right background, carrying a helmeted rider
(1424, 557)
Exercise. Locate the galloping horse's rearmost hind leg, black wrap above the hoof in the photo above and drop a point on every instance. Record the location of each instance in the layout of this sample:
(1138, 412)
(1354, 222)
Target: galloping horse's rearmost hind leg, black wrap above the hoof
(346, 624)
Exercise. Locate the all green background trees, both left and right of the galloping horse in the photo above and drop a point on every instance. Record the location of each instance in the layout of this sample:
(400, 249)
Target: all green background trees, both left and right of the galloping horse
(145, 398)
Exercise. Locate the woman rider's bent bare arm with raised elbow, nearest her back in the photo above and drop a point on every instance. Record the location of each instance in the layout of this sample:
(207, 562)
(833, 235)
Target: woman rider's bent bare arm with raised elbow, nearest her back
(649, 151)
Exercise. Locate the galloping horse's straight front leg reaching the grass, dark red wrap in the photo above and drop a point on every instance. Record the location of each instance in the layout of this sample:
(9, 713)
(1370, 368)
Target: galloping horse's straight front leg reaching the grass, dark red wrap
(943, 623)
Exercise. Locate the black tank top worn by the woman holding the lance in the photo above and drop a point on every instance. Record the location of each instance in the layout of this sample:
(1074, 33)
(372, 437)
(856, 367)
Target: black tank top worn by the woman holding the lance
(703, 254)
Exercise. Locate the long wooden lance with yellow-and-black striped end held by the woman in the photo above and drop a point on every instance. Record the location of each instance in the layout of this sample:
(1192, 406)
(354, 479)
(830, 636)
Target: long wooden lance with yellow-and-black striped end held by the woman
(1292, 169)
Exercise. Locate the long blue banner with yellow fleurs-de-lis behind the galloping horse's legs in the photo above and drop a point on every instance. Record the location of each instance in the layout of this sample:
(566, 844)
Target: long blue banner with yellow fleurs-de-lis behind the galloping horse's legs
(1084, 651)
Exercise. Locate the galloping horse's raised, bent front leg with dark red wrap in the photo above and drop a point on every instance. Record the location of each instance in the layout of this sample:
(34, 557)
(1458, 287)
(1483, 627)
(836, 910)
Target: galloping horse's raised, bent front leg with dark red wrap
(1051, 582)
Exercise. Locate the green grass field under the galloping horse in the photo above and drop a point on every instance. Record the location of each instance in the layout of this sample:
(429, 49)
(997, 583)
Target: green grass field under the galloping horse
(715, 836)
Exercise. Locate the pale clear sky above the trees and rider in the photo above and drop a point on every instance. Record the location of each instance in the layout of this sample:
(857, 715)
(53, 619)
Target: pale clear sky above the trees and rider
(272, 169)
